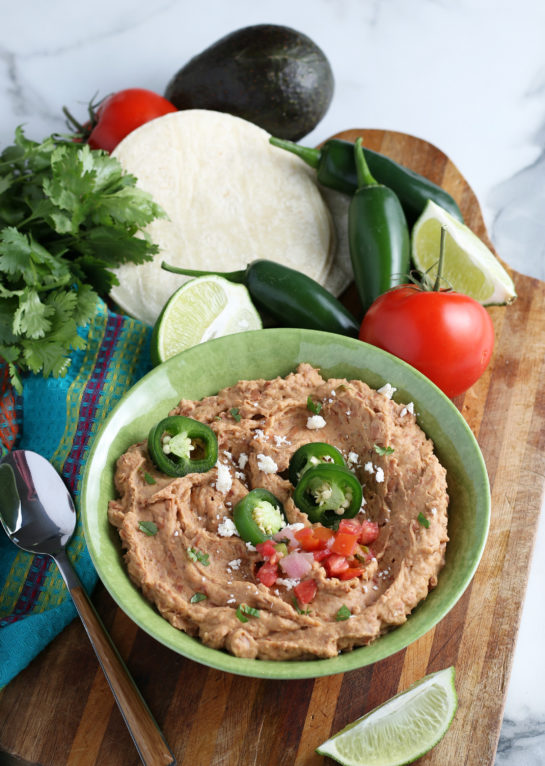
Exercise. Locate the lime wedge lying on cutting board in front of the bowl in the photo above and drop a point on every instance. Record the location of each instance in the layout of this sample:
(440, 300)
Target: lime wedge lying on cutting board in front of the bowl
(402, 729)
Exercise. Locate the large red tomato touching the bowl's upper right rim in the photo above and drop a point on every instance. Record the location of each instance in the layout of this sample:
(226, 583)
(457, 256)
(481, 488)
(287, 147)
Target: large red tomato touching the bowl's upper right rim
(446, 335)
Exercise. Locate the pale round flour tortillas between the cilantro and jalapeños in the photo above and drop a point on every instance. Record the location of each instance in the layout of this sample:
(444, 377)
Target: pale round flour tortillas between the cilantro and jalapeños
(230, 198)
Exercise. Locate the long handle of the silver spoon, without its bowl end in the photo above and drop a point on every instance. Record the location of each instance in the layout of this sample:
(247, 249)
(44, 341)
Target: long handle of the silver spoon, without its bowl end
(146, 735)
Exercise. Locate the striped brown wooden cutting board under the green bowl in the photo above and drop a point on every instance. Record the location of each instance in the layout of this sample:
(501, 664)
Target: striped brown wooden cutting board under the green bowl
(59, 711)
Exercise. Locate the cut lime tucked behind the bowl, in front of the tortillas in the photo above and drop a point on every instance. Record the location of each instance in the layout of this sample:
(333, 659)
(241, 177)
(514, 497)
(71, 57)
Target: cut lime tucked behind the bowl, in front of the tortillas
(202, 308)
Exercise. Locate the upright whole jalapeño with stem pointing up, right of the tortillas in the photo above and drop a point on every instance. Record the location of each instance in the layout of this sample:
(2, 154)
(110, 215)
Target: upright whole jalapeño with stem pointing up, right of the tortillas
(378, 235)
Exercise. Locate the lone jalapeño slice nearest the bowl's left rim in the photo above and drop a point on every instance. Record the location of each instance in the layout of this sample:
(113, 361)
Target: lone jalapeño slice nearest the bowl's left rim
(179, 445)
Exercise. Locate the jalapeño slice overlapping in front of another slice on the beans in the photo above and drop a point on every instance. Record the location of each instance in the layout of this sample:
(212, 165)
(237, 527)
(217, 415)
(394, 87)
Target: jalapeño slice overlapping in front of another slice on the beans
(327, 493)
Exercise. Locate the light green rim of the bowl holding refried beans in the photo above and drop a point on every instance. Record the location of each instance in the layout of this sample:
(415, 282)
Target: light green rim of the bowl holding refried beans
(381, 648)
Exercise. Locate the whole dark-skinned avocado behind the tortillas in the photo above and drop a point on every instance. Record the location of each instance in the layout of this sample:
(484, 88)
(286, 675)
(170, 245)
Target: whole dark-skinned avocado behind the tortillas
(270, 75)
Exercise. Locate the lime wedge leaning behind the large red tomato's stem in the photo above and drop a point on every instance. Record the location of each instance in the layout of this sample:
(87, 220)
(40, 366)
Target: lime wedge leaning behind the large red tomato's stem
(469, 266)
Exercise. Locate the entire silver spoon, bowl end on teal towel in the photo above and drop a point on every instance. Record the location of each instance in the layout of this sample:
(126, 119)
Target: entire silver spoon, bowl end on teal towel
(38, 514)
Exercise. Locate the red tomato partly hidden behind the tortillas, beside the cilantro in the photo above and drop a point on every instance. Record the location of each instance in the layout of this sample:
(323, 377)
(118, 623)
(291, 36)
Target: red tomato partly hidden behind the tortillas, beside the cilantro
(124, 111)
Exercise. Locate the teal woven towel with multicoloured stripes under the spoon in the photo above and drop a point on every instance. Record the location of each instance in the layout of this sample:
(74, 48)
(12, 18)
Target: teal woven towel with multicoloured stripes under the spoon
(59, 418)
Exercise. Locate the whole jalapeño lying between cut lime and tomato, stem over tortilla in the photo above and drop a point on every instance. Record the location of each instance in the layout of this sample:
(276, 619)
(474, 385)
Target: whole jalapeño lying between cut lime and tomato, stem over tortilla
(291, 297)
